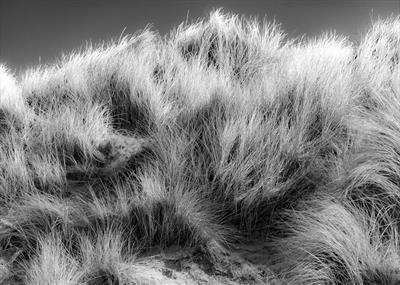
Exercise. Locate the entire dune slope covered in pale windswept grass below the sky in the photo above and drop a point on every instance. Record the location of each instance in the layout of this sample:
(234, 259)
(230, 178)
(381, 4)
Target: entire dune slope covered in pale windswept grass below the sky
(220, 136)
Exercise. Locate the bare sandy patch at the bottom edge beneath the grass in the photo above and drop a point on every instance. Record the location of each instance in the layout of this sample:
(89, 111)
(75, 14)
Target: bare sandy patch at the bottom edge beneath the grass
(246, 264)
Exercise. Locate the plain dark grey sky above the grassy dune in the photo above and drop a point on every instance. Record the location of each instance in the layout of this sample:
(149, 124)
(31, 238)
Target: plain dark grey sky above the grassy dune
(42, 29)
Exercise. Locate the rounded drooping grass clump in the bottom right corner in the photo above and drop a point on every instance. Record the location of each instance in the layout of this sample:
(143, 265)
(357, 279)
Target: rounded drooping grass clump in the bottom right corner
(332, 242)
